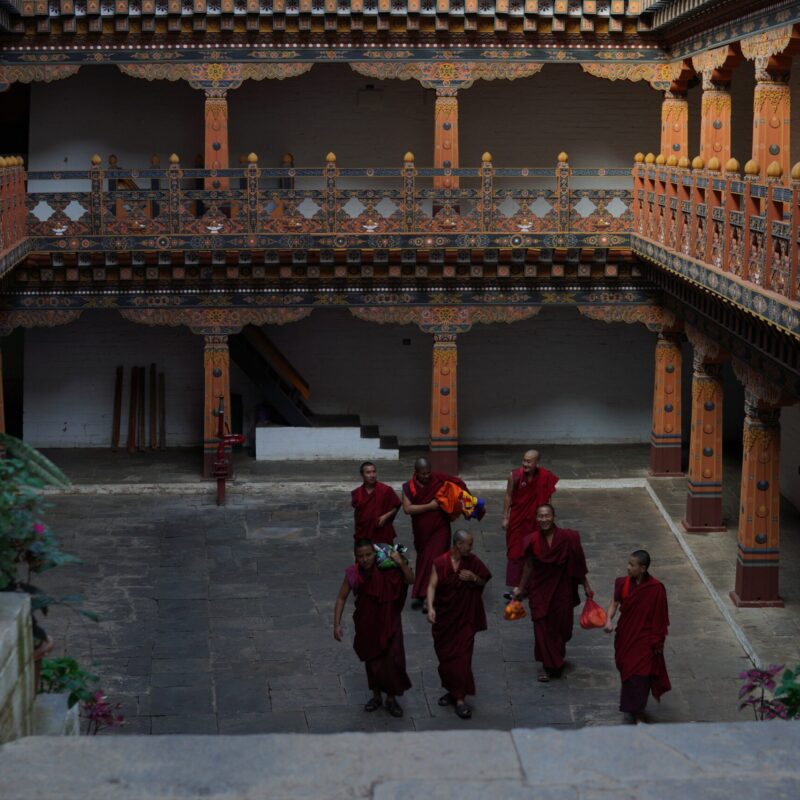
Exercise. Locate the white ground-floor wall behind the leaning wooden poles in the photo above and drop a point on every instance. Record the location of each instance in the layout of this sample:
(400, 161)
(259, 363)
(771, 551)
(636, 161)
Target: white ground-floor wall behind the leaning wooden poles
(69, 380)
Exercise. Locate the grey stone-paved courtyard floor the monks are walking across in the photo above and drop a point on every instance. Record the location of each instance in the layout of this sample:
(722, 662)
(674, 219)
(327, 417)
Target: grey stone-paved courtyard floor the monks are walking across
(219, 620)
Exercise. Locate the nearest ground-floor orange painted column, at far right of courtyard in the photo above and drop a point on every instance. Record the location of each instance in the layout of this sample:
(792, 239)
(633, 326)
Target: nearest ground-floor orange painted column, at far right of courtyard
(757, 558)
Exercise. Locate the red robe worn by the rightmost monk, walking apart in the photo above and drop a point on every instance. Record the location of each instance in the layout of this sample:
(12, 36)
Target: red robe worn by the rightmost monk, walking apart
(642, 628)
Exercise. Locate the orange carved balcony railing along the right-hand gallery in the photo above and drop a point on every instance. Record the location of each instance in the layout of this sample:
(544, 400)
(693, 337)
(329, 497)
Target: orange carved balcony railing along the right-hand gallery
(745, 228)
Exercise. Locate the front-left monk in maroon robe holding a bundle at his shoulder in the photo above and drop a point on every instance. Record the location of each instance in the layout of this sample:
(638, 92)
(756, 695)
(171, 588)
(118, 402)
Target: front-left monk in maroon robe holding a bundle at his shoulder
(380, 596)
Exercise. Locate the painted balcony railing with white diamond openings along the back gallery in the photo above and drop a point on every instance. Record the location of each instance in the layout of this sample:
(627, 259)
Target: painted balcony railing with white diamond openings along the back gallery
(328, 207)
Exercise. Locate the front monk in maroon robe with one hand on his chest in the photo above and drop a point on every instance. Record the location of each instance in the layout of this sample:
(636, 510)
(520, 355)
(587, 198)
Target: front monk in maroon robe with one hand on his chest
(455, 609)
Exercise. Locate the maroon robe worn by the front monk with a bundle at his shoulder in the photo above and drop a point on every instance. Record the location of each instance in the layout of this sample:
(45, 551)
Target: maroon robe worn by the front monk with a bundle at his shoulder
(380, 596)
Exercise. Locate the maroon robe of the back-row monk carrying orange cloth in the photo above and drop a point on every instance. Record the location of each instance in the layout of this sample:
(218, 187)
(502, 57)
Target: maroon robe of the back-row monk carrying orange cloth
(431, 529)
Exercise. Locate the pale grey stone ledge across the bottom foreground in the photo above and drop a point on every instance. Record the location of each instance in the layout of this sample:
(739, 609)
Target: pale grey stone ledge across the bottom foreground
(715, 761)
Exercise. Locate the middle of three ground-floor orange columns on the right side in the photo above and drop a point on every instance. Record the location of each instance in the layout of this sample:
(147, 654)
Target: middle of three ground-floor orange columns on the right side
(704, 480)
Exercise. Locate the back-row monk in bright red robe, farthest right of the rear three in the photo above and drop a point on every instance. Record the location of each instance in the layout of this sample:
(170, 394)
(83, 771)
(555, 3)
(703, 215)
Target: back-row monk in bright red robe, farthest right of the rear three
(529, 487)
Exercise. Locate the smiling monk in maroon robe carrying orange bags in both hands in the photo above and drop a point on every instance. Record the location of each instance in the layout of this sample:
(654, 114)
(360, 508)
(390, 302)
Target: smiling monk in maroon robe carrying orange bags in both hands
(554, 568)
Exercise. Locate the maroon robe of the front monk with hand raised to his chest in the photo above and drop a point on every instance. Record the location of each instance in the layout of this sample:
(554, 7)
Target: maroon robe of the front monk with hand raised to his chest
(459, 616)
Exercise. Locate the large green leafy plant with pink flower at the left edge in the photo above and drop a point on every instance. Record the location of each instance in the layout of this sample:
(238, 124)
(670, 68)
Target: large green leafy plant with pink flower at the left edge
(27, 545)
